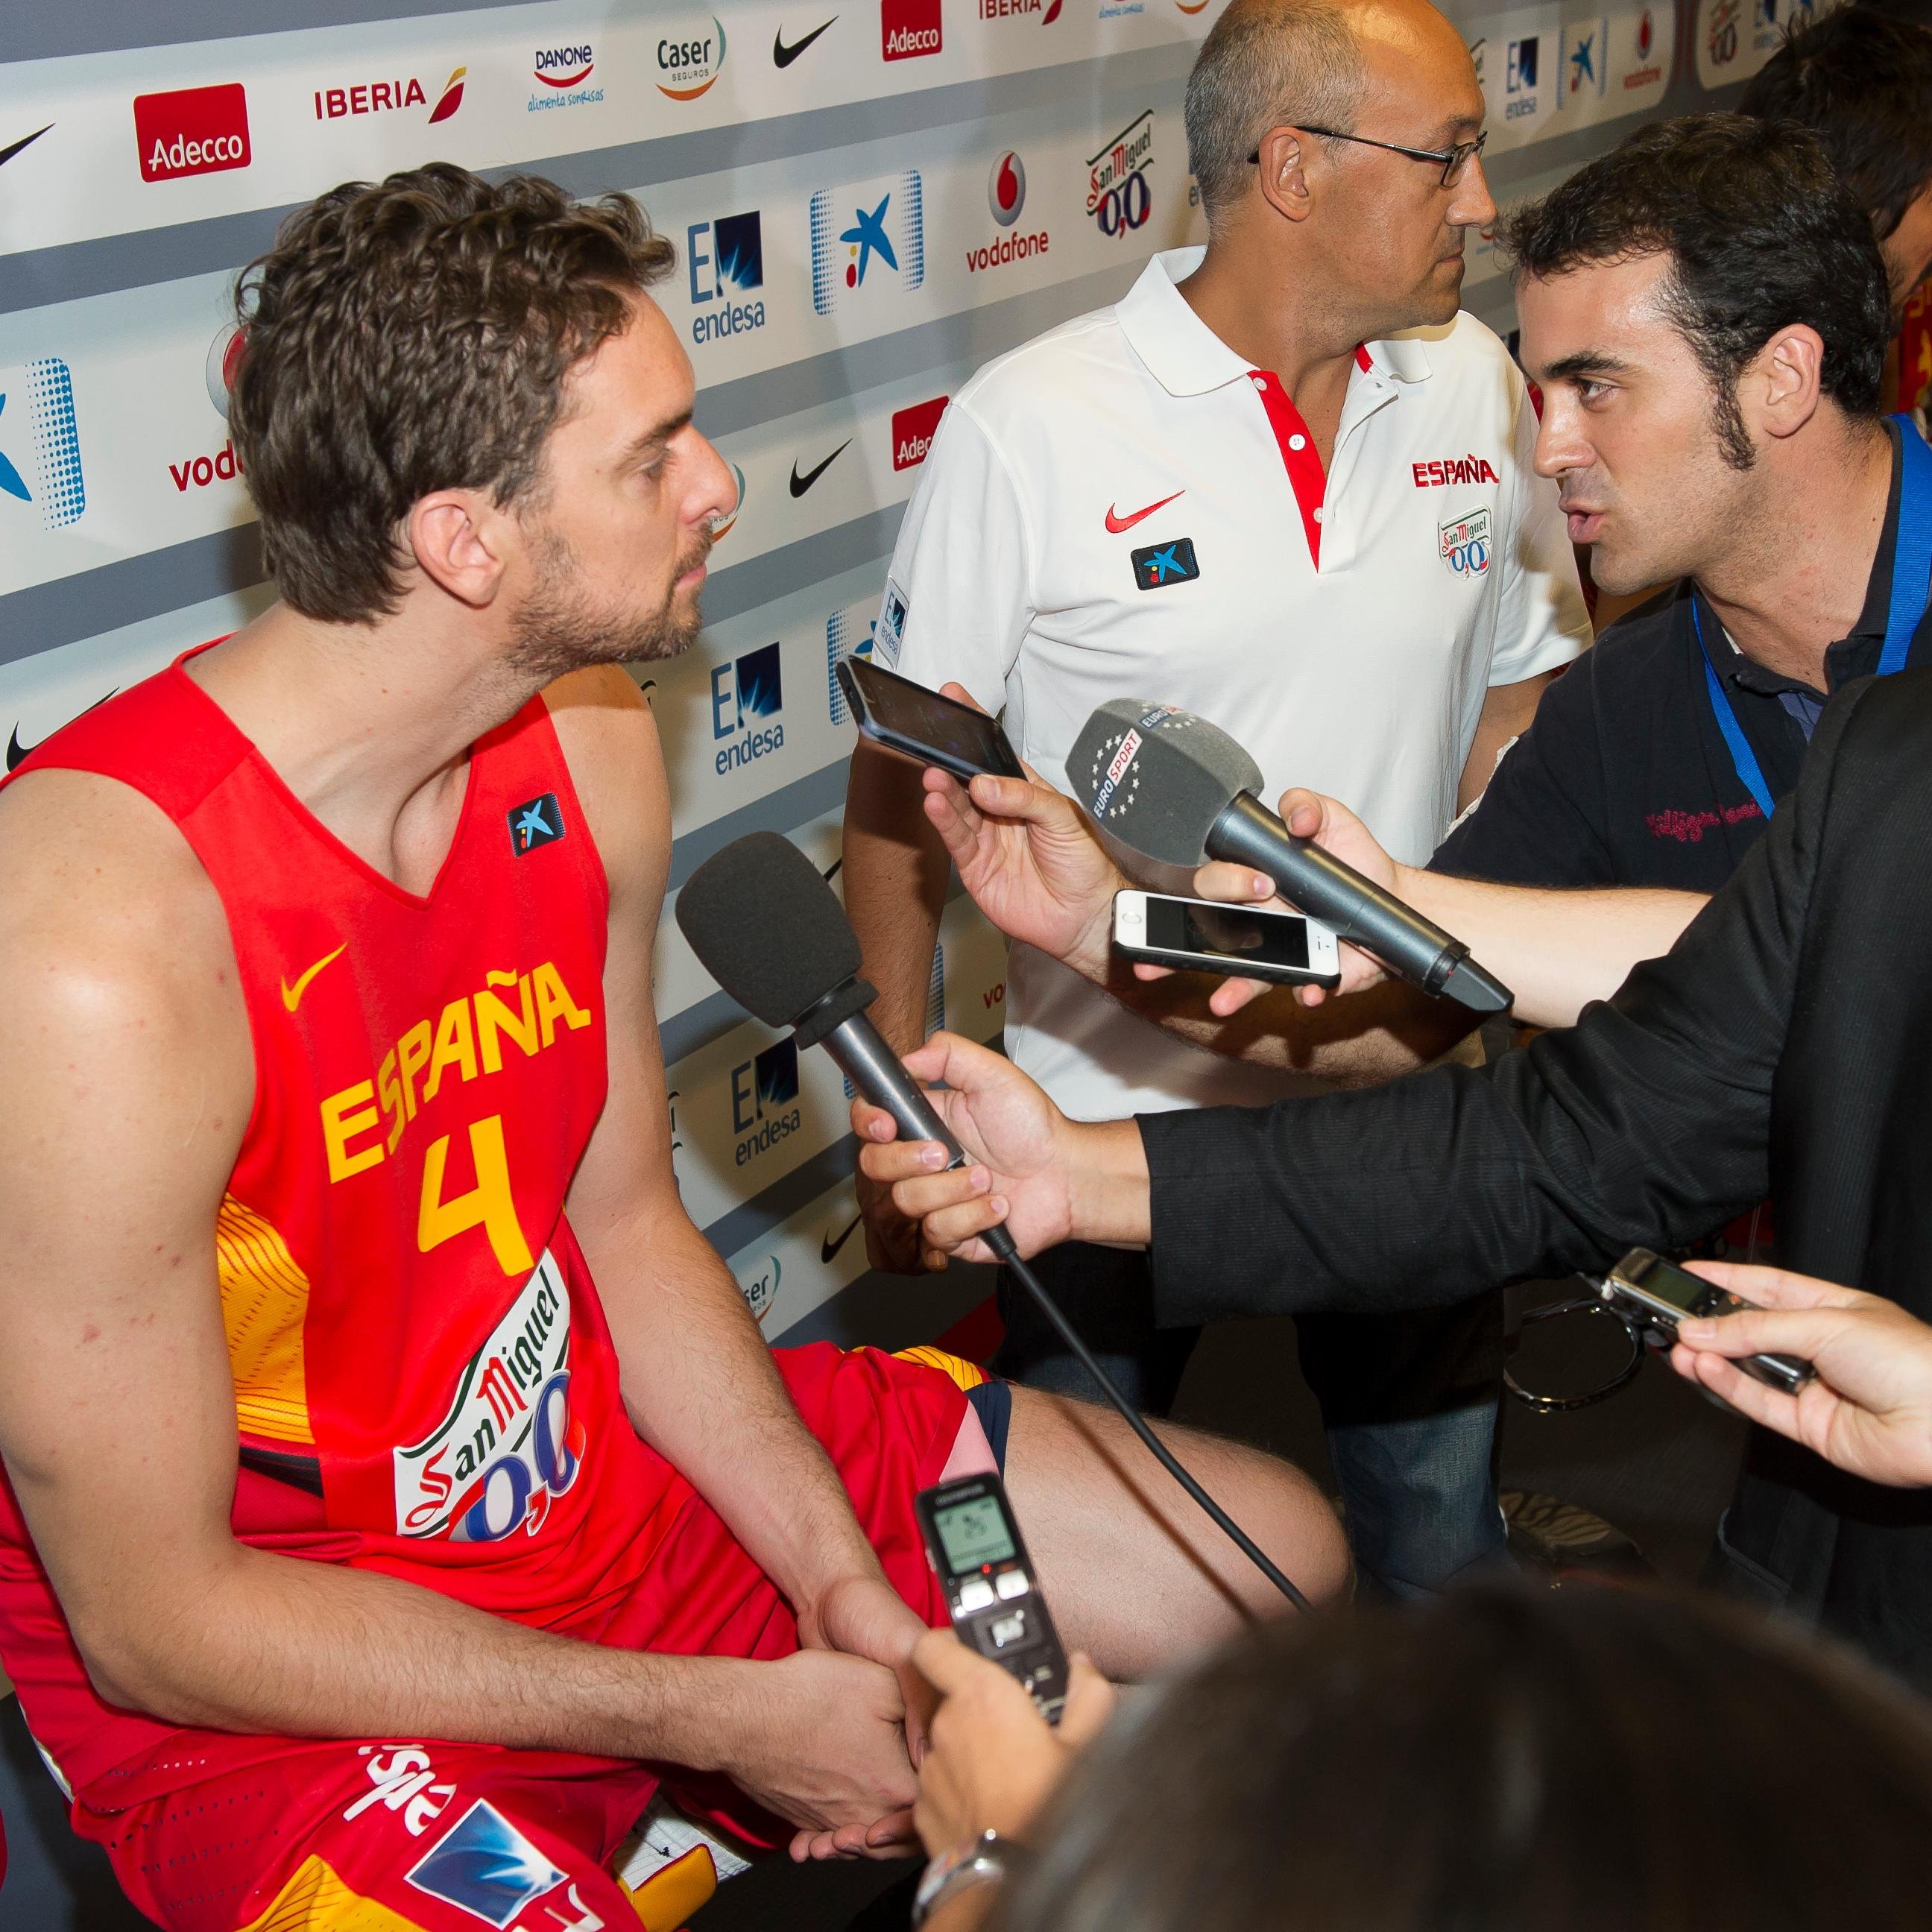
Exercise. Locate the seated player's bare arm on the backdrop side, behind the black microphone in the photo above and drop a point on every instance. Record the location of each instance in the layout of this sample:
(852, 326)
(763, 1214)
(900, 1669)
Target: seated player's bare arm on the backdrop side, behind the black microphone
(698, 1378)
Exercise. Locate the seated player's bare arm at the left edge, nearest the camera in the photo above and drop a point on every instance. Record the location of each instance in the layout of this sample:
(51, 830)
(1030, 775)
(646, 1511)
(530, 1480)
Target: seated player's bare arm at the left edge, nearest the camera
(127, 1058)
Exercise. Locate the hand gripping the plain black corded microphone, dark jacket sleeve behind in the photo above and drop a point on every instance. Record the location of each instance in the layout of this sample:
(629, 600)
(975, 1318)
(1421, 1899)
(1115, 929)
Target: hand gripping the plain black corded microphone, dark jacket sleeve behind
(1011, 1133)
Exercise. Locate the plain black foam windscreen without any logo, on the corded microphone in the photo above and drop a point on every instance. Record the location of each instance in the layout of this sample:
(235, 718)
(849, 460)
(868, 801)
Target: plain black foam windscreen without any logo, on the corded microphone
(768, 928)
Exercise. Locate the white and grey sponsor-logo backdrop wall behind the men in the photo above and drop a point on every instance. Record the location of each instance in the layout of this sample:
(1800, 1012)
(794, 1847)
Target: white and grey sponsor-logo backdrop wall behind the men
(870, 198)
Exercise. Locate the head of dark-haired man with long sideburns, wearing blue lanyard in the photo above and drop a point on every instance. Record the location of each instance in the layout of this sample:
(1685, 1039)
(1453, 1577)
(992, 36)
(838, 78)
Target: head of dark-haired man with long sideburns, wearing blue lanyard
(1709, 318)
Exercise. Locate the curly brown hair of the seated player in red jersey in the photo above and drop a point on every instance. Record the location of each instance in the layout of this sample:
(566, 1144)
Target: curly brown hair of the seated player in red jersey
(412, 337)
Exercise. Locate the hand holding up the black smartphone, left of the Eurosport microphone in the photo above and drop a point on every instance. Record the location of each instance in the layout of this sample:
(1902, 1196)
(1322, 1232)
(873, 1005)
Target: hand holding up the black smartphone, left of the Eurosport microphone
(1029, 859)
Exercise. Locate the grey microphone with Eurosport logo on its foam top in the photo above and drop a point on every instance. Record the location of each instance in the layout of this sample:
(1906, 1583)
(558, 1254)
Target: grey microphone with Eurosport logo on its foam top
(1166, 785)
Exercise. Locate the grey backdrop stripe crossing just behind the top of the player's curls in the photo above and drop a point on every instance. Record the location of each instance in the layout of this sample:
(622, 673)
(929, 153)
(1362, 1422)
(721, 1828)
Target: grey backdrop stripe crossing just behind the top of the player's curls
(105, 264)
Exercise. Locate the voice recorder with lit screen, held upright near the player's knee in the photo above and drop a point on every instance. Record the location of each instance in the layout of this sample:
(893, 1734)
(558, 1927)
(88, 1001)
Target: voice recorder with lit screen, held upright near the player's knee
(990, 1587)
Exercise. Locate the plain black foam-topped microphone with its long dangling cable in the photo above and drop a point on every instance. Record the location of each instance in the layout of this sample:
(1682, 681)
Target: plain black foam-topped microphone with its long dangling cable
(772, 932)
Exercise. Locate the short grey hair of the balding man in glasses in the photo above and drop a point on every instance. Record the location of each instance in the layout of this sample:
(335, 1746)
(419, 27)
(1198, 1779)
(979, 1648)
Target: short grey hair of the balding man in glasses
(1266, 65)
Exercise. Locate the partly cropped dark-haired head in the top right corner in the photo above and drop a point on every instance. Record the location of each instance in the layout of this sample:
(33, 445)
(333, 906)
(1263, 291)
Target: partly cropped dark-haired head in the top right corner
(1863, 84)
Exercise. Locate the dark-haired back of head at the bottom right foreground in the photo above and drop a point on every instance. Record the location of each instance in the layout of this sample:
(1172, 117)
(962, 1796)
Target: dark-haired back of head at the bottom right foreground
(1512, 1761)
